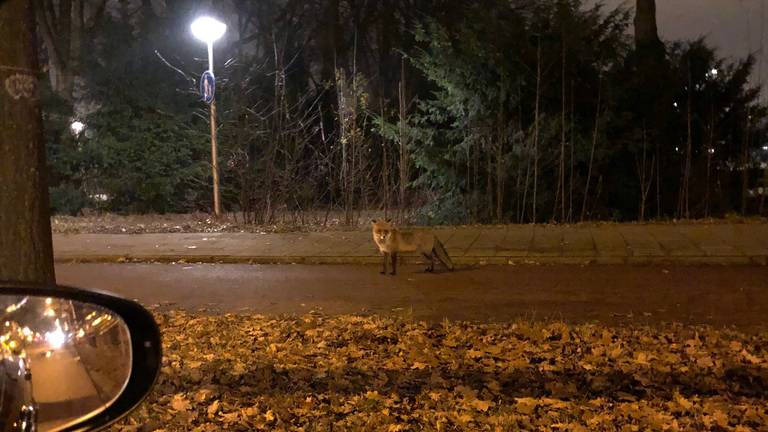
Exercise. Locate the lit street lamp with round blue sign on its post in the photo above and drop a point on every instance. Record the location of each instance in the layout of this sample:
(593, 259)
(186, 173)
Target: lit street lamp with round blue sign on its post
(209, 30)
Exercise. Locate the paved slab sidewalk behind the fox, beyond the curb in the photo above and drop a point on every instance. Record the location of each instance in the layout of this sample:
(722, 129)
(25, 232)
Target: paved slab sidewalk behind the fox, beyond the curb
(602, 244)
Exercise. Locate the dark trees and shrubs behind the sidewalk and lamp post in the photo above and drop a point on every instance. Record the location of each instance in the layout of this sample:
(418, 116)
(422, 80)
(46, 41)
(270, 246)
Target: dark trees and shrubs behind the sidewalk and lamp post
(448, 111)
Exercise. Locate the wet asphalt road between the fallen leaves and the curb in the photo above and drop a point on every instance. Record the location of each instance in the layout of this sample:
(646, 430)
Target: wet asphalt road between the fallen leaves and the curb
(612, 294)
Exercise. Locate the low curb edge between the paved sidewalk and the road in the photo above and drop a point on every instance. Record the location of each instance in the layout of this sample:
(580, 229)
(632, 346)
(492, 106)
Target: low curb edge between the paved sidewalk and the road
(759, 260)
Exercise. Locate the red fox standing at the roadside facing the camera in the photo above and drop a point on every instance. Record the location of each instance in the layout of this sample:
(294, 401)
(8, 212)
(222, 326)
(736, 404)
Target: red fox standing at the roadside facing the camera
(392, 241)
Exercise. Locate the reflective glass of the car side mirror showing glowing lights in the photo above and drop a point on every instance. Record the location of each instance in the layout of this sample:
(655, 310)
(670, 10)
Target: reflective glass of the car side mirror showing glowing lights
(62, 361)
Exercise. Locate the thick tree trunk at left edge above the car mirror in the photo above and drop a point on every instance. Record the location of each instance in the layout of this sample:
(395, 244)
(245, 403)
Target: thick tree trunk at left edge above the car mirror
(26, 252)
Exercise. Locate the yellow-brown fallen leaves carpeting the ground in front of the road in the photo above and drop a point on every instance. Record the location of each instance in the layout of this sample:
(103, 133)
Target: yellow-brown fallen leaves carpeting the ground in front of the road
(317, 373)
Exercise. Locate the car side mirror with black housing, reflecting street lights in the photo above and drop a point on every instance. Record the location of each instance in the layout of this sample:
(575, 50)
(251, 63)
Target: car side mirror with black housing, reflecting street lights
(72, 359)
